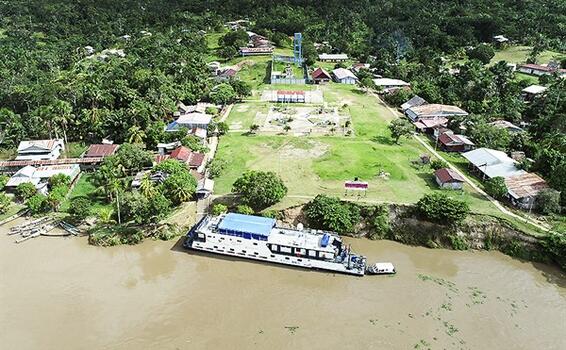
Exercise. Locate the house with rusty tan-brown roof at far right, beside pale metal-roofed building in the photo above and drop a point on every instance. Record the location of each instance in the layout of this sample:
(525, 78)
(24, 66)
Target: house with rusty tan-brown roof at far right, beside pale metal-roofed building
(523, 189)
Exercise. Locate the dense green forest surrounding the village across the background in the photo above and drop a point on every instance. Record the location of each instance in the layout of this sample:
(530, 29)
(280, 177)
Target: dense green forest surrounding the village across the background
(86, 70)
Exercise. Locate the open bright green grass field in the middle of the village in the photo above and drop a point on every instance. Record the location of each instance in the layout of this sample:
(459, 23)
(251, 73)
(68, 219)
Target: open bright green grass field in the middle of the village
(314, 165)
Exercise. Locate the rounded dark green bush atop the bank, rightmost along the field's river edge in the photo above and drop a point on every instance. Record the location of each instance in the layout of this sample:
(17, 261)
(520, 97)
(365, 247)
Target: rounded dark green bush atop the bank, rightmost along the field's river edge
(440, 208)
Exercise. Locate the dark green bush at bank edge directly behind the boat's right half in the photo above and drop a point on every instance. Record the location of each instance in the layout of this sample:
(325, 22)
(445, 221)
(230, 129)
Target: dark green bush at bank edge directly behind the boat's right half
(330, 213)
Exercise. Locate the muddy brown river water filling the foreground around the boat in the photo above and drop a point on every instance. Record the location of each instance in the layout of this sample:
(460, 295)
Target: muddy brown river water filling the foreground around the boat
(61, 293)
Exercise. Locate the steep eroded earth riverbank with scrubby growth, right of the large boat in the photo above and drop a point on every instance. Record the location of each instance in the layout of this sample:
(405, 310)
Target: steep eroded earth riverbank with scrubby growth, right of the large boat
(477, 232)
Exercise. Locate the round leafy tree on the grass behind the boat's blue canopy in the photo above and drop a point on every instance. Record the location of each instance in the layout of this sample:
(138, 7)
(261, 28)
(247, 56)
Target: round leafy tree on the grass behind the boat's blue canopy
(260, 189)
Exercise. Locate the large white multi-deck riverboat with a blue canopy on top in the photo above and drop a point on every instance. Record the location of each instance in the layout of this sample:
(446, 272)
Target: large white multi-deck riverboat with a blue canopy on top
(258, 238)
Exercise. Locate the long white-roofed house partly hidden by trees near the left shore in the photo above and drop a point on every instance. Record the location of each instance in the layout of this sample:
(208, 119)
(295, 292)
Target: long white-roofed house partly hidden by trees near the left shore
(40, 176)
